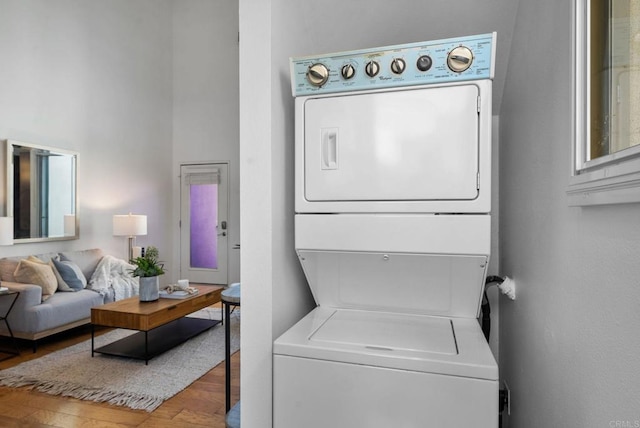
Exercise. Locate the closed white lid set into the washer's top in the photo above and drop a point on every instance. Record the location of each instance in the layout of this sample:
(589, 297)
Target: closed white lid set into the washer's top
(388, 332)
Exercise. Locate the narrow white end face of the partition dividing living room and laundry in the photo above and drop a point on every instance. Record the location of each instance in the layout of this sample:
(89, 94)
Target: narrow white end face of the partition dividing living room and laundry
(256, 200)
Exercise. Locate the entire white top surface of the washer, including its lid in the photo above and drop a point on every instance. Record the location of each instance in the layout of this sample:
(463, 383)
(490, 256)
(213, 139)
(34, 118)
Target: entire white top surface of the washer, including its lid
(421, 343)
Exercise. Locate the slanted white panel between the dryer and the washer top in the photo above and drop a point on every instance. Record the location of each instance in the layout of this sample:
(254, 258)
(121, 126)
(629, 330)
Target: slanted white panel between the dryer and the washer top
(426, 284)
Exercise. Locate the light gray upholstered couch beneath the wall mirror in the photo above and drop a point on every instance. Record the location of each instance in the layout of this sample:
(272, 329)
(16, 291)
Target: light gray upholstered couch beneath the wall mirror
(32, 318)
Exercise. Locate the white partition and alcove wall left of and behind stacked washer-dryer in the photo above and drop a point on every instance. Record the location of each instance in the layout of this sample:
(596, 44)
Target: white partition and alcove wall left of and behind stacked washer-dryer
(275, 294)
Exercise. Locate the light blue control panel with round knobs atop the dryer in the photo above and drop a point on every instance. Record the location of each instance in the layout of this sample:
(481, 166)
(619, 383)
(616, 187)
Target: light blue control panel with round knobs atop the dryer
(438, 61)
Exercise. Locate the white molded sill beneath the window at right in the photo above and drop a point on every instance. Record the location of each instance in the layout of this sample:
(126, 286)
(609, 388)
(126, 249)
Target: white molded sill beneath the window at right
(614, 184)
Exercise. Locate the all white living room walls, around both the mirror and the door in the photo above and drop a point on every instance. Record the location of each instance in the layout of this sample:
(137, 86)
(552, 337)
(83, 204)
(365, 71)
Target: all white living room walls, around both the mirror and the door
(136, 87)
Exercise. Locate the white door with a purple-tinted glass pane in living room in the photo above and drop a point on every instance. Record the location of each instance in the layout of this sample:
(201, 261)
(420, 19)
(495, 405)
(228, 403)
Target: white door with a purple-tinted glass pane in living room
(204, 223)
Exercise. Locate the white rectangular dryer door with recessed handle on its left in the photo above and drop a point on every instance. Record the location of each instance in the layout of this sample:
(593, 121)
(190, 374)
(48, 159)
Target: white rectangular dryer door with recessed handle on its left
(411, 145)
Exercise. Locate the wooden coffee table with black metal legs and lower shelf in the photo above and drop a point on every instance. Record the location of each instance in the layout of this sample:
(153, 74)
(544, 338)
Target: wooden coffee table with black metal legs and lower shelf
(161, 324)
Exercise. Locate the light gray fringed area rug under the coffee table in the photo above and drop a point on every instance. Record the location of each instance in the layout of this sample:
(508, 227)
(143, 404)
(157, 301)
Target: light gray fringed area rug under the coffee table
(72, 372)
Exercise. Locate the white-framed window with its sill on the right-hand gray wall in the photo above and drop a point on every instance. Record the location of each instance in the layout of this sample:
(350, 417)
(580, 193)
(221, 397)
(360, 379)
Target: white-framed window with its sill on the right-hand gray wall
(607, 102)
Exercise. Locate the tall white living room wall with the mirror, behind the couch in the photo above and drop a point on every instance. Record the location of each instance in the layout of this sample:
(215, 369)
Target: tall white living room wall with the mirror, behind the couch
(94, 77)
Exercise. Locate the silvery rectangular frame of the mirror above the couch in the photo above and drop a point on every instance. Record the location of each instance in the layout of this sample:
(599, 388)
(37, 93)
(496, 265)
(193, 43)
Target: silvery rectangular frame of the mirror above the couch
(9, 188)
